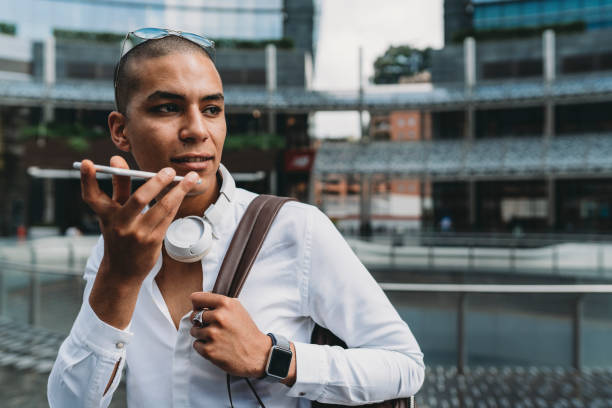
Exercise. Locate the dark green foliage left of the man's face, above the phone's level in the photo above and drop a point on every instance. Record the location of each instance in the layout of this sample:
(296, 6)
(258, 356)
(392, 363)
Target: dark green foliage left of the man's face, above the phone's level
(76, 135)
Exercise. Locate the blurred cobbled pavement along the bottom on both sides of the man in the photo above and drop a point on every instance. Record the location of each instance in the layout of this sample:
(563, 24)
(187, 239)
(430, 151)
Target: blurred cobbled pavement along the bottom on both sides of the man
(480, 387)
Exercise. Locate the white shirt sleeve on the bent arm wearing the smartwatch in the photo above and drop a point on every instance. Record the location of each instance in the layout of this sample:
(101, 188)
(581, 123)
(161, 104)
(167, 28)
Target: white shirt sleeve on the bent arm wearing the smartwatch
(383, 360)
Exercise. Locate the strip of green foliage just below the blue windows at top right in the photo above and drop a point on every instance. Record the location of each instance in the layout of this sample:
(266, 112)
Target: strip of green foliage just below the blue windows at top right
(518, 32)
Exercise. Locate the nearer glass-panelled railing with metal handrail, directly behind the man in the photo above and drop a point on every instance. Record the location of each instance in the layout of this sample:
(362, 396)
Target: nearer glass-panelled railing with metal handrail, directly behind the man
(460, 304)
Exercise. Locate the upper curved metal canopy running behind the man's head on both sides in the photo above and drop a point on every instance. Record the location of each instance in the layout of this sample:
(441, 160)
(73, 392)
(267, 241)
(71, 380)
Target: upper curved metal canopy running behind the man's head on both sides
(567, 89)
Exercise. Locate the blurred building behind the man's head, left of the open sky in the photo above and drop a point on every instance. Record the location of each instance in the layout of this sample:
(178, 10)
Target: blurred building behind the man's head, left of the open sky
(56, 68)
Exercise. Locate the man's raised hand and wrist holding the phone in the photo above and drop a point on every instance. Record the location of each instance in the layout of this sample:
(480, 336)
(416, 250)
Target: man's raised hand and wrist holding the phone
(132, 238)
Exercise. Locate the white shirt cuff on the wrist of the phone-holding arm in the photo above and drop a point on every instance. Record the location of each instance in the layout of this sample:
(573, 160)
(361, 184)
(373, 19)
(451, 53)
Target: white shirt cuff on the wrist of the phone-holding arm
(99, 336)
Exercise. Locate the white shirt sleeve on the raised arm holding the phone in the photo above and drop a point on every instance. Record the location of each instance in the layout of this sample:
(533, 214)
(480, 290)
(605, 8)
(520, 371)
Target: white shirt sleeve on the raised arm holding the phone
(91, 355)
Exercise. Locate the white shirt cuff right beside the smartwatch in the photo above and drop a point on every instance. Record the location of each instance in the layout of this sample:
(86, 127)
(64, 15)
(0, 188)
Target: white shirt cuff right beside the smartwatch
(312, 370)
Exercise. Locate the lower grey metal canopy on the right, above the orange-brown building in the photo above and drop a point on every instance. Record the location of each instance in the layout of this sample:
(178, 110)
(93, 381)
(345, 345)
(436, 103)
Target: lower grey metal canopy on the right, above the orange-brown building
(587, 155)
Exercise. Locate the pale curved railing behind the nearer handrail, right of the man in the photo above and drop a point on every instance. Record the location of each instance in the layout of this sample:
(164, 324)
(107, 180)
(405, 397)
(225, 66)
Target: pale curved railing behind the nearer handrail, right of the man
(579, 256)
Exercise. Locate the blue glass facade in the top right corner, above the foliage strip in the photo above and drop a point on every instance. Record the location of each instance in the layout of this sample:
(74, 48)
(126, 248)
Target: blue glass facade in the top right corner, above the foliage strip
(504, 14)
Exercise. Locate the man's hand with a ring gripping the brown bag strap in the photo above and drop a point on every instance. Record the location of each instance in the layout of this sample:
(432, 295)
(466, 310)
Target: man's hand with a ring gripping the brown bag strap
(229, 339)
